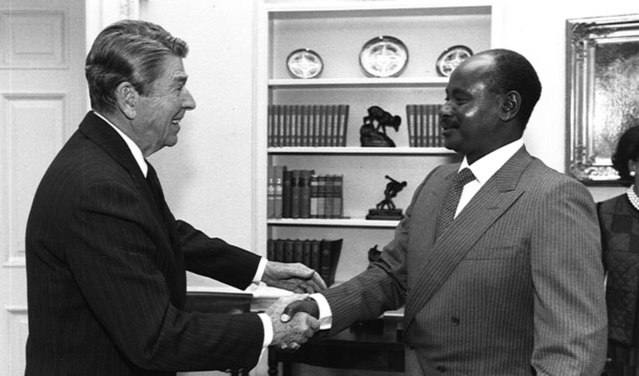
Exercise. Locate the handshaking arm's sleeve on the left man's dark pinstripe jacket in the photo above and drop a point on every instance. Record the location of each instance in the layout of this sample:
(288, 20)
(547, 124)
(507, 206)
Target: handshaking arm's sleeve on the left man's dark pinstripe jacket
(121, 271)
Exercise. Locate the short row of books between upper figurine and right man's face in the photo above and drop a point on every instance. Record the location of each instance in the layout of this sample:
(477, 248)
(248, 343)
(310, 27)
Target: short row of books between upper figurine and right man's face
(423, 125)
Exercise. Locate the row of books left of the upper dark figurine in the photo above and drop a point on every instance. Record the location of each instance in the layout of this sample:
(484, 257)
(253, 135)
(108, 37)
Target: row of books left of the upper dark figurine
(307, 125)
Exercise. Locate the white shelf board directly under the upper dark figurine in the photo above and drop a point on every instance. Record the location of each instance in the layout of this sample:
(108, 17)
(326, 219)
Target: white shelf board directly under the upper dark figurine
(355, 150)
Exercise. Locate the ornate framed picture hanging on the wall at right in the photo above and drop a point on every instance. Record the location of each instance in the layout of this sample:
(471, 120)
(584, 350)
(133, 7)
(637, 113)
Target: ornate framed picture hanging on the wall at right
(603, 92)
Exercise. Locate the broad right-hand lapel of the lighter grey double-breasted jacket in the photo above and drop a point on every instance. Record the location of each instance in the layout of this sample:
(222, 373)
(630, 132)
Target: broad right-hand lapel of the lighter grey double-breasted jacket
(492, 200)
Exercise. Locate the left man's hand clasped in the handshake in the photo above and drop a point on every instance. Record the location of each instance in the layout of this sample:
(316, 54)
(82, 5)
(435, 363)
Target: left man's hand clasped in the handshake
(296, 330)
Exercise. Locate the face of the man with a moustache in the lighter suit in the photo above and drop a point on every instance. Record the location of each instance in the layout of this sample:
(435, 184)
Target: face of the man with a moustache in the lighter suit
(470, 115)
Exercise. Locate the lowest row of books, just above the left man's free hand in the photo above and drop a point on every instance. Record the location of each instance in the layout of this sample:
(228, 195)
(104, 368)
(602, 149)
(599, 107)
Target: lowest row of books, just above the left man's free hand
(320, 255)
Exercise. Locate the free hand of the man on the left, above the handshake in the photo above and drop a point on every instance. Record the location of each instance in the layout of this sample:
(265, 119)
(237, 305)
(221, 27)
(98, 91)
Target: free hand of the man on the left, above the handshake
(294, 277)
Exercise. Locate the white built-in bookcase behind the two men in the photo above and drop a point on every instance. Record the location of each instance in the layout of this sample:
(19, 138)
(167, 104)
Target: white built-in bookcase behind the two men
(337, 31)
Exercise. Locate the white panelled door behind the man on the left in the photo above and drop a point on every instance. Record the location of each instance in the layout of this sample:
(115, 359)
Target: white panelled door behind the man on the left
(42, 100)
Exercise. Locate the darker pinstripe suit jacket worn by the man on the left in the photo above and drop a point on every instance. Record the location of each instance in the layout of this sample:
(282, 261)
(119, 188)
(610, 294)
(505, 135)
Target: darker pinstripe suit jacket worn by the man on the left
(105, 273)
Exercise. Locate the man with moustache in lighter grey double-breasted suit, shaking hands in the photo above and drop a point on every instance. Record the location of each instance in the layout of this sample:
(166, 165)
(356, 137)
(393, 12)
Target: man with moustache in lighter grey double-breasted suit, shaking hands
(512, 282)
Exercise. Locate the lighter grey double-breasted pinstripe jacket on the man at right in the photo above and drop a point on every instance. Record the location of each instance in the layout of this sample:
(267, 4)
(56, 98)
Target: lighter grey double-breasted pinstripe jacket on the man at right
(515, 282)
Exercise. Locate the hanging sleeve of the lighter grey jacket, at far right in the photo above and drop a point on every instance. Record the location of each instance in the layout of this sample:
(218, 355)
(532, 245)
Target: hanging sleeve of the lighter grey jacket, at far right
(569, 309)
